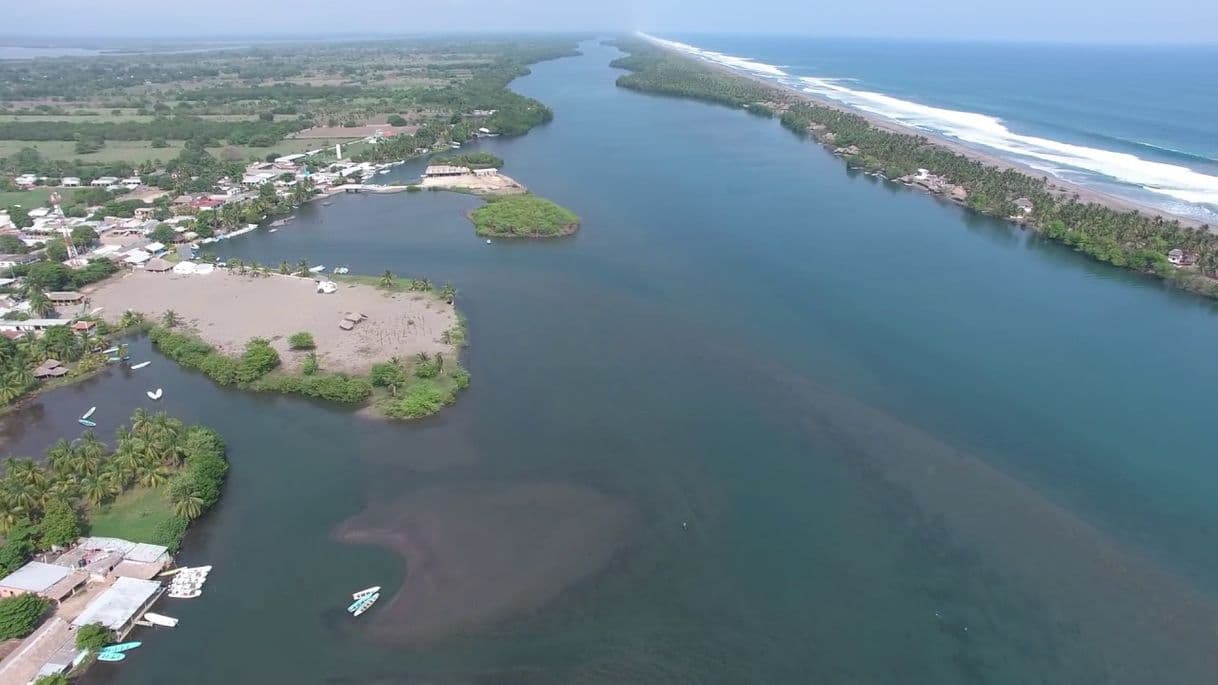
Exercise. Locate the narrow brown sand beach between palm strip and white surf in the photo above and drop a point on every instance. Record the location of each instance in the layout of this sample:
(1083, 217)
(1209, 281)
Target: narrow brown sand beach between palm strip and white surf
(1059, 186)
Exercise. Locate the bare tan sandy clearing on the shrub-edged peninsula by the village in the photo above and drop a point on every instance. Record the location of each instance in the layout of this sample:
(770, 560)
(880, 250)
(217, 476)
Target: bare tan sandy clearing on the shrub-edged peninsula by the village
(228, 310)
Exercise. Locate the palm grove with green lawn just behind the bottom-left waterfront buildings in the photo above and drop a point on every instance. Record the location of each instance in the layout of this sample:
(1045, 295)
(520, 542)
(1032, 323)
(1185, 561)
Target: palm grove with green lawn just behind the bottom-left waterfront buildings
(161, 476)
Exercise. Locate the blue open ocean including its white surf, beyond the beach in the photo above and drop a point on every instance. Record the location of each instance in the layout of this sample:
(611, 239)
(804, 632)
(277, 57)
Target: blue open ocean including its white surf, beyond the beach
(1137, 122)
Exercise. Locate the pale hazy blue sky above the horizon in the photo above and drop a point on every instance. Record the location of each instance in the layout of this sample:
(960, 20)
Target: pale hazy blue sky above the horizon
(1091, 21)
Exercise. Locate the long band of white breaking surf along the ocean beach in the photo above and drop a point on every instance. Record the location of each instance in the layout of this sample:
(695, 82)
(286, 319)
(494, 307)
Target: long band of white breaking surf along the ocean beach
(1057, 158)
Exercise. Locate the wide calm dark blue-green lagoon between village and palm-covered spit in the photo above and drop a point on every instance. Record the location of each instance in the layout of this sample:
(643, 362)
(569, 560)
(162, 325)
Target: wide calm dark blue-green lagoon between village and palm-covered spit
(759, 421)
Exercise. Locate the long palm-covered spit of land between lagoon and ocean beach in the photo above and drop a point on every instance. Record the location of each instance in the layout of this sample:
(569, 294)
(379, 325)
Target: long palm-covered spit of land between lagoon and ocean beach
(1147, 243)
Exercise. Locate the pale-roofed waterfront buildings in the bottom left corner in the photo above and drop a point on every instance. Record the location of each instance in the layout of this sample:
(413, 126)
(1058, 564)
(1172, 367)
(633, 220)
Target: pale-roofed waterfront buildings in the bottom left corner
(105, 581)
